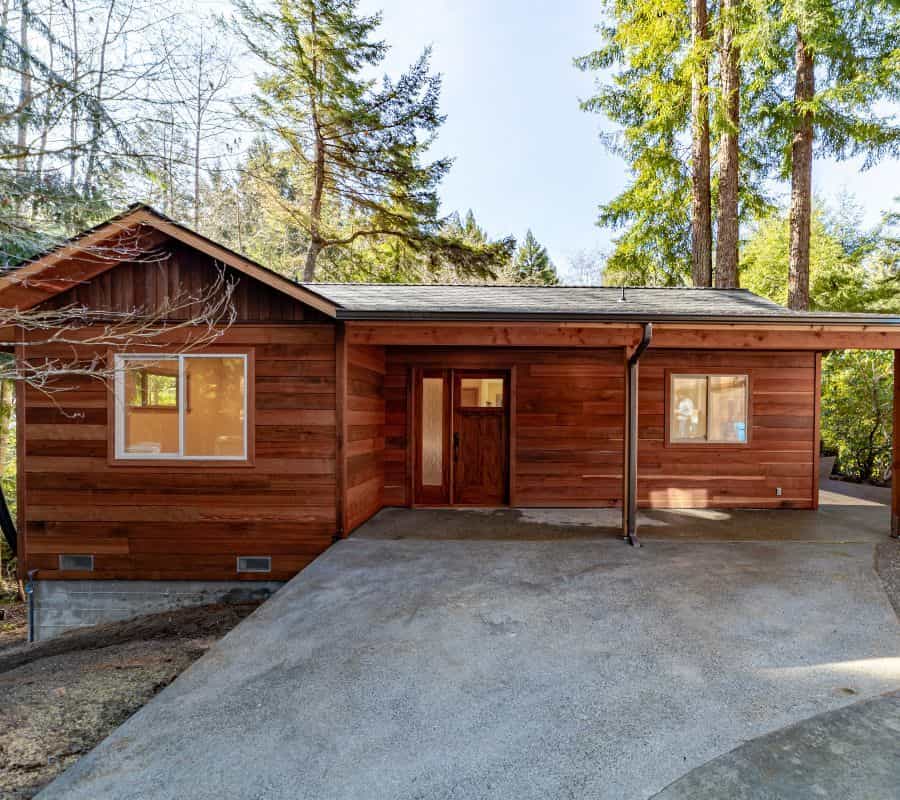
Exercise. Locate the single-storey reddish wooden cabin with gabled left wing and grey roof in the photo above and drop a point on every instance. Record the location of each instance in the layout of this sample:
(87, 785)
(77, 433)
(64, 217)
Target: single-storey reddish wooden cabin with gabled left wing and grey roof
(195, 470)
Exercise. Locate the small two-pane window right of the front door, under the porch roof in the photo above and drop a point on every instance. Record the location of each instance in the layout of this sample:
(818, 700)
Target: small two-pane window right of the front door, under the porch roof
(708, 409)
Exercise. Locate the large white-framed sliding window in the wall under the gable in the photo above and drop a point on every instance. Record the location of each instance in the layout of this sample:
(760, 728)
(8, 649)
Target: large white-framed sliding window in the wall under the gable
(191, 406)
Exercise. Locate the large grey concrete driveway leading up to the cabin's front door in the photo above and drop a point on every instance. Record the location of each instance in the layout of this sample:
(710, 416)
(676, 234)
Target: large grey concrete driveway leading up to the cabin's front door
(409, 664)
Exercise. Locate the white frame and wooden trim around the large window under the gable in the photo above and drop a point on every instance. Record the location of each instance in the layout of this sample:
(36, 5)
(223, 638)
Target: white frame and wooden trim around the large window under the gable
(119, 404)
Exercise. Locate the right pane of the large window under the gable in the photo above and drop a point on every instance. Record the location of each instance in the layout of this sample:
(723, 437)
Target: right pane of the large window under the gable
(214, 406)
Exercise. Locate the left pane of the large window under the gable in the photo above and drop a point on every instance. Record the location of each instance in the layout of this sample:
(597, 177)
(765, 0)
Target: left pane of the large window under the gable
(151, 407)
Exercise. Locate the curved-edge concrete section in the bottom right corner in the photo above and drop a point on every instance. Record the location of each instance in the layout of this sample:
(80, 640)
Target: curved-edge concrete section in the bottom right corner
(851, 753)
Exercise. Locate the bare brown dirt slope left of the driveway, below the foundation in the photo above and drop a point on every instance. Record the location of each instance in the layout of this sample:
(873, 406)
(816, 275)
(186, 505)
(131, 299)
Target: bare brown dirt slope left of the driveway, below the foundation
(61, 697)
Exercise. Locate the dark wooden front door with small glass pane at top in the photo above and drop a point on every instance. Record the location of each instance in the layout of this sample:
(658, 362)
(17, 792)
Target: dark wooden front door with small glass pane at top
(480, 438)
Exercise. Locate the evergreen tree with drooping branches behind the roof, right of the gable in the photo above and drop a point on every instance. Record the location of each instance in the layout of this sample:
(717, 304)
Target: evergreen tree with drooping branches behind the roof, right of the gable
(361, 145)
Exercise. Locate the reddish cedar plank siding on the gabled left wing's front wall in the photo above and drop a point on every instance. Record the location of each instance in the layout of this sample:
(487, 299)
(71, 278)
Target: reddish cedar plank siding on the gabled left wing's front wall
(188, 520)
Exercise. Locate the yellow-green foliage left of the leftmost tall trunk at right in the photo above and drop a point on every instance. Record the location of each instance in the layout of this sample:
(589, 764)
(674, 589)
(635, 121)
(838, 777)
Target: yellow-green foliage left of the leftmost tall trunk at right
(644, 87)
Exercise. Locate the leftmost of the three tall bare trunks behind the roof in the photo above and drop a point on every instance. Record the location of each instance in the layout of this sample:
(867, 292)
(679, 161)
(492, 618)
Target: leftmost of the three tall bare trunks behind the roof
(701, 212)
